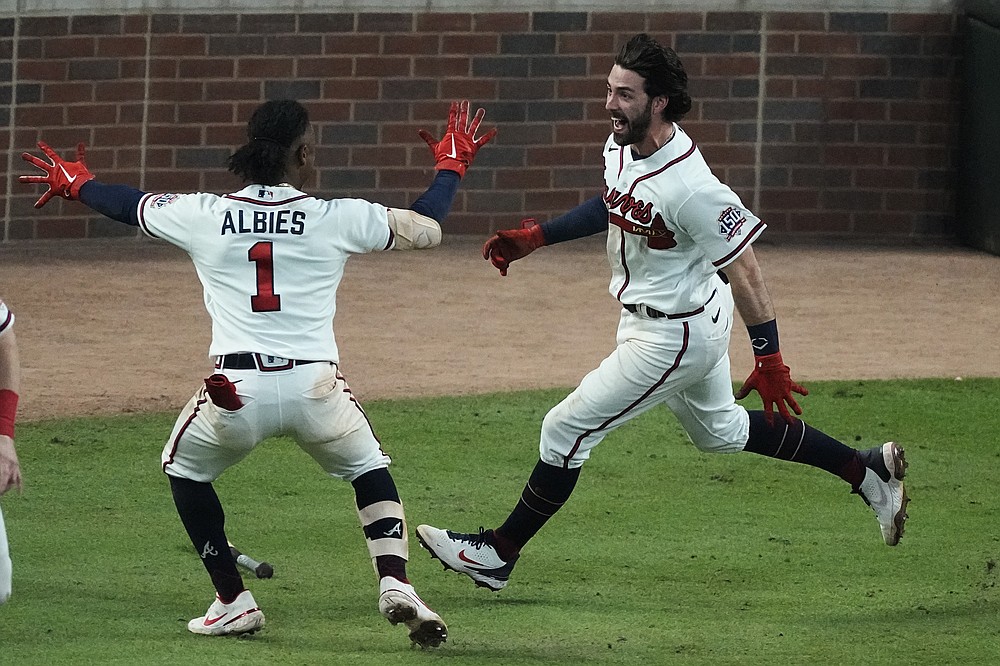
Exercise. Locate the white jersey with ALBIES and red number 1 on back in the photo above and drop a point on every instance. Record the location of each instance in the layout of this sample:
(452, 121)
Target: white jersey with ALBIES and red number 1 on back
(270, 260)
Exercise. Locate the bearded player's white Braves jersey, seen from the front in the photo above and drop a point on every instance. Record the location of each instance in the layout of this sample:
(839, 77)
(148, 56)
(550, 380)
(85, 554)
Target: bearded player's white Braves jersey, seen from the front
(672, 225)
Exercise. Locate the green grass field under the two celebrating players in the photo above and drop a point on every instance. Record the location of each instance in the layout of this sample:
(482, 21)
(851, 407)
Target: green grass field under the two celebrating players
(663, 555)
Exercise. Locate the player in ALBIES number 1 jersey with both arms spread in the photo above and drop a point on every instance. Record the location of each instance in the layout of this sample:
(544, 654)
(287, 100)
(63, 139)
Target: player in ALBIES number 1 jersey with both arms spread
(270, 258)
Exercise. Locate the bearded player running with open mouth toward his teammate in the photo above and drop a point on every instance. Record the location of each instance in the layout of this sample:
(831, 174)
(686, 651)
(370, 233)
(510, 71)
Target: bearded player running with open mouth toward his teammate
(681, 255)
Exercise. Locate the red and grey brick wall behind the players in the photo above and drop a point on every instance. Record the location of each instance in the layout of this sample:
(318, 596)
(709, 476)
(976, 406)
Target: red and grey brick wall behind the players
(824, 122)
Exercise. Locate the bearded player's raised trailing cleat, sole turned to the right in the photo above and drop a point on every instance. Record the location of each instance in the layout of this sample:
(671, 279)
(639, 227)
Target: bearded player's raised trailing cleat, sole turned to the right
(883, 490)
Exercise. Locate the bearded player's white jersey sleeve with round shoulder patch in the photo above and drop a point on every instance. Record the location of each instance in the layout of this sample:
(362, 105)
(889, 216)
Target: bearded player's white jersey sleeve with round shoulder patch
(719, 224)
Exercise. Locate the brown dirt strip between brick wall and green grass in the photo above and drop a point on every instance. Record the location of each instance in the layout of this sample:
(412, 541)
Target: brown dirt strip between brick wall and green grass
(117, 326)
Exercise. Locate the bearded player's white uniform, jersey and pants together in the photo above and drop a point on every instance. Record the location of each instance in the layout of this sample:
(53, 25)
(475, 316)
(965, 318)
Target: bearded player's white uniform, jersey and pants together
(673, 225)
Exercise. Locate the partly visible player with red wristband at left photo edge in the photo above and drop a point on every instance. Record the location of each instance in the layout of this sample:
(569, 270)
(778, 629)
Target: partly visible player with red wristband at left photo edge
(10, 468)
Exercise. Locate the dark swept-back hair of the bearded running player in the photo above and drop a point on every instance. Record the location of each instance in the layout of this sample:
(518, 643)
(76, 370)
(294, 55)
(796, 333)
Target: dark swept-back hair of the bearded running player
(662, 71)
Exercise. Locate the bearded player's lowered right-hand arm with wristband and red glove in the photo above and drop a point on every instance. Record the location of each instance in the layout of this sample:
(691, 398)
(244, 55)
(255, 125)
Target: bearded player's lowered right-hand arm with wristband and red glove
(770, 377)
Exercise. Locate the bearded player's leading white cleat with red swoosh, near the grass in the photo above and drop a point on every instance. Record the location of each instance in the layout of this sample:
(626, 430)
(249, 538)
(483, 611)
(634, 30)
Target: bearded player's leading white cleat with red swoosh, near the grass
(471, 554)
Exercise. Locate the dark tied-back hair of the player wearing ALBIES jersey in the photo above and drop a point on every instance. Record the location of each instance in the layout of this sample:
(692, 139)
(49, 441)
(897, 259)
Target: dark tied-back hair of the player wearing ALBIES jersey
(273, 129)
